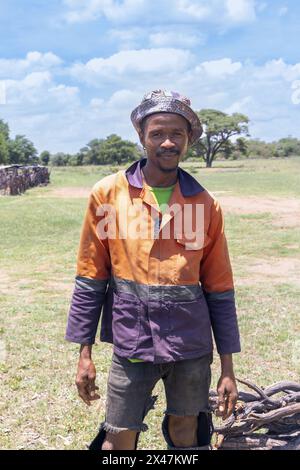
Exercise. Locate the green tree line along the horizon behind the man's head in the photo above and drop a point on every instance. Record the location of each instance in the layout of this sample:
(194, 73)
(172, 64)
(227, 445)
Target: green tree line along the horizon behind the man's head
(226, 136)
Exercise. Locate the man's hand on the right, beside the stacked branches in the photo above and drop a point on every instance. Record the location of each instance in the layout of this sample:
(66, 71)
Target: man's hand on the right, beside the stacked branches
(227, 395)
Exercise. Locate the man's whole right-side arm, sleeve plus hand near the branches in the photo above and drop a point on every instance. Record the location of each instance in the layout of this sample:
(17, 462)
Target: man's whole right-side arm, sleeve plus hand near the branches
(217, 282)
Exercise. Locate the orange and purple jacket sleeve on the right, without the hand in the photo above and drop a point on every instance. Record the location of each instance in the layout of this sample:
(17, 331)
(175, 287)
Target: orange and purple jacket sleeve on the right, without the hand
(217, 283)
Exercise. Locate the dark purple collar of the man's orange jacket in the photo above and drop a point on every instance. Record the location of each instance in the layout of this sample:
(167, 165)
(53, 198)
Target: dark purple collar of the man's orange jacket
(189, 186)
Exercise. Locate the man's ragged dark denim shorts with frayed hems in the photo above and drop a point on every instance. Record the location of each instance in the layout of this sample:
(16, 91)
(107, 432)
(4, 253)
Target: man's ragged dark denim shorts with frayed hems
(130, 385)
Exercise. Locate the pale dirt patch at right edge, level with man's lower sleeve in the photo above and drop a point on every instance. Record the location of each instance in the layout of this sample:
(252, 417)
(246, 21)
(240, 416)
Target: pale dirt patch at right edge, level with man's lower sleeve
(273, 271)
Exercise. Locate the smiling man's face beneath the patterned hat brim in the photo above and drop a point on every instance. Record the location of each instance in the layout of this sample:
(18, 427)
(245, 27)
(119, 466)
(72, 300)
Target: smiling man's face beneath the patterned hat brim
(165, 137)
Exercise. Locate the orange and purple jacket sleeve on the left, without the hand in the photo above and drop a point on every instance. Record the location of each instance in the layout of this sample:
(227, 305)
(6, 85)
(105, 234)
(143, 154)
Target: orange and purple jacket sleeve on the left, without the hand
(93, 273)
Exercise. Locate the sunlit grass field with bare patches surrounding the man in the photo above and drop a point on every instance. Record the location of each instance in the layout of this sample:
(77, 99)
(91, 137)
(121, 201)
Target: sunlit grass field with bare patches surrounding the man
(39, 234)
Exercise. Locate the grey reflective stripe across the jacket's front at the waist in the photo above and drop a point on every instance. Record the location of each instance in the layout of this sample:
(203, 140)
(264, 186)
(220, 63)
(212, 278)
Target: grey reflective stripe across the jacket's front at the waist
(174, 293)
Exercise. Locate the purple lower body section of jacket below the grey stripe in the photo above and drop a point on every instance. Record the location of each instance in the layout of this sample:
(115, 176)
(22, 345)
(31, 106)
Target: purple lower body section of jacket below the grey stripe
(156, 331)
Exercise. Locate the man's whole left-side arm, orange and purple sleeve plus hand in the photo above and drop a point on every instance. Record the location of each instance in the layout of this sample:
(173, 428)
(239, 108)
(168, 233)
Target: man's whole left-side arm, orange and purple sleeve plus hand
(93, 273)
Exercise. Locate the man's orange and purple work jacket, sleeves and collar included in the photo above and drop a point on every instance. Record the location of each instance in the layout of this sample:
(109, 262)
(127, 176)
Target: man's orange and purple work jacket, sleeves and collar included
(162, 286)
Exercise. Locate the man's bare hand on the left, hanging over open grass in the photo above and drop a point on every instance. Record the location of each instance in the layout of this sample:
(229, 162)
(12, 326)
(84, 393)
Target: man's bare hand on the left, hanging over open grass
(86, 376)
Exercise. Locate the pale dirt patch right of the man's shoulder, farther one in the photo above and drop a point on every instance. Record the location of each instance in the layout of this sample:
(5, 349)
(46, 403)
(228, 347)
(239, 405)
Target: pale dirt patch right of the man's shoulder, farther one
(285, 211)
